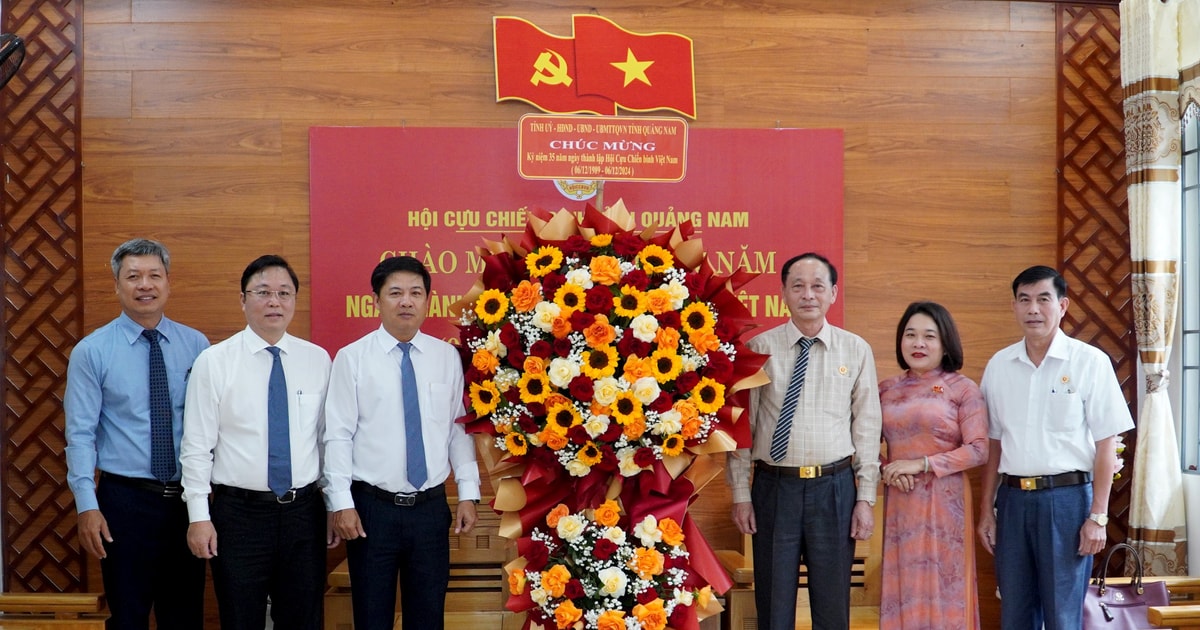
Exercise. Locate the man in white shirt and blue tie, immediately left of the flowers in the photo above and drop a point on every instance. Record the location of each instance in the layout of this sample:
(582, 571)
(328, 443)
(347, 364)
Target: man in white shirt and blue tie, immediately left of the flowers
(386, 471)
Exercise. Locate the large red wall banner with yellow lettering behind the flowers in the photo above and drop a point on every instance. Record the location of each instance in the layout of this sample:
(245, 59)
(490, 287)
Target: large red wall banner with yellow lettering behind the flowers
(757, 197)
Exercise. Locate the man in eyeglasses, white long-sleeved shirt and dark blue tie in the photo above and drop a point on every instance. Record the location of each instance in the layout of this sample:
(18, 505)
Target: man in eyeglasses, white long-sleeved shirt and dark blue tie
(251, 441)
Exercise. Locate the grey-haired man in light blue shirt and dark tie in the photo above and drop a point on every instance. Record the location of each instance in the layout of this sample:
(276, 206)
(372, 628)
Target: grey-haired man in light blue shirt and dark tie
(135, 523)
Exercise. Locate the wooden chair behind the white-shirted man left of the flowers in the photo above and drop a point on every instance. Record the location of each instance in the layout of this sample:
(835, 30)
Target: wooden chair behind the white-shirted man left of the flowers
(478, 585)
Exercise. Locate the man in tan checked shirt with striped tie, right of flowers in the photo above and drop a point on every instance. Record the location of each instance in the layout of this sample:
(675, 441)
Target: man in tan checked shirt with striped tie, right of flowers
(817, 433)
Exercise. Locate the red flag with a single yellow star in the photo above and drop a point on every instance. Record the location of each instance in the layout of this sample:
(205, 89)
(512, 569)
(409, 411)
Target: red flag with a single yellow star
(639, 71)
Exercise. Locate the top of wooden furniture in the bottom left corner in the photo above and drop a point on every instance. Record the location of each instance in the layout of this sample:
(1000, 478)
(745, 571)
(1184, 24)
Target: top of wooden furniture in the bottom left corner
(57, 611)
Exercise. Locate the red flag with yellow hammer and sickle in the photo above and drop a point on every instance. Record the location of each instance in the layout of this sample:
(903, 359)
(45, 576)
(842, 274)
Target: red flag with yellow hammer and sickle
(539, 69)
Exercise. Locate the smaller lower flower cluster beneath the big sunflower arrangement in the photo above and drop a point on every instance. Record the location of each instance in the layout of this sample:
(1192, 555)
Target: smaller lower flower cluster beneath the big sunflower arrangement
(593, 569)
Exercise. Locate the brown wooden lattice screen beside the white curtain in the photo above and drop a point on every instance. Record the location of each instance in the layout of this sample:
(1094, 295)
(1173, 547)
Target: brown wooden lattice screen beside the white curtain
(1094, 218)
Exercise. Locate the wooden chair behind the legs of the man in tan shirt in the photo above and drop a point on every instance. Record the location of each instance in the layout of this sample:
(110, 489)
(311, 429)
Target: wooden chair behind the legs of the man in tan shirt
(865, 592)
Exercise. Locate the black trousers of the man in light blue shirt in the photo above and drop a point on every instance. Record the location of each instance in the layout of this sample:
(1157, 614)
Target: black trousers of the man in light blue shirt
(149, 566)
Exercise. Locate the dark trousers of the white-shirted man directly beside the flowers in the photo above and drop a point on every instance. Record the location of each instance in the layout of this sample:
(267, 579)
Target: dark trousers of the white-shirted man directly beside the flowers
(410, 542)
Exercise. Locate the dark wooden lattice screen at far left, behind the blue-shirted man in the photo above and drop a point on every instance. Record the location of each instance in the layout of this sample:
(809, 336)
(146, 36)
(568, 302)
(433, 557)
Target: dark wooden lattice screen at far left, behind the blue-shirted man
(40, 214)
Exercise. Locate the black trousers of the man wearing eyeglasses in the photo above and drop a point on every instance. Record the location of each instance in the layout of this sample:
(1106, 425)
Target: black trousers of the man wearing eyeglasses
(269, 550)
